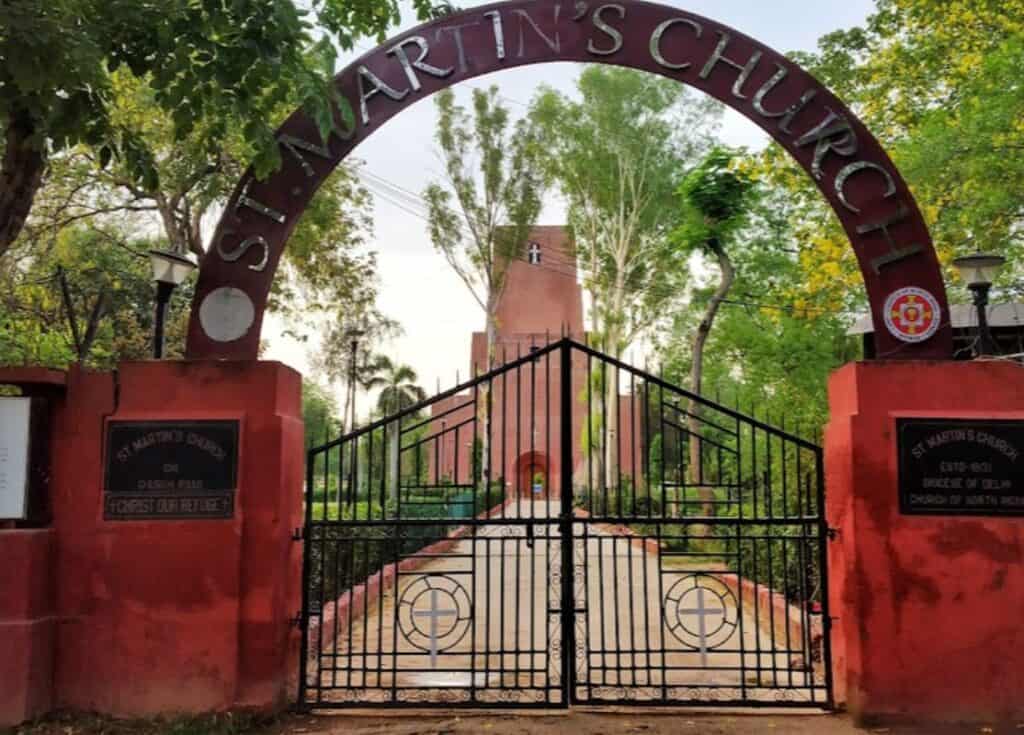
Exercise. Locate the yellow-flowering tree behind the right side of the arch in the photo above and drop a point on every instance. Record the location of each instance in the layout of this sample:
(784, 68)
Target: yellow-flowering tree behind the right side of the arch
(937, 81)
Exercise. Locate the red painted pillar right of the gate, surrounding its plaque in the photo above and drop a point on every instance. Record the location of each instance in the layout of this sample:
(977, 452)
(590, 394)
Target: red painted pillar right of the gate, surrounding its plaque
(928, 609)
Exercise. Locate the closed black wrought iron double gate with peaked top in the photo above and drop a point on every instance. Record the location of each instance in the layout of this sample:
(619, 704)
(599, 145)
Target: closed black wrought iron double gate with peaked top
(566, 530)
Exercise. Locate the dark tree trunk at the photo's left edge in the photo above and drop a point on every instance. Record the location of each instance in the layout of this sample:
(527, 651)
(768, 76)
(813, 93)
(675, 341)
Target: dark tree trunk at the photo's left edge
(21, 178)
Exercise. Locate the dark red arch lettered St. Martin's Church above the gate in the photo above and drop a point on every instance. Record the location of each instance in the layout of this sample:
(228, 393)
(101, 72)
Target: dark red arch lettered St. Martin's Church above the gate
(887, 232)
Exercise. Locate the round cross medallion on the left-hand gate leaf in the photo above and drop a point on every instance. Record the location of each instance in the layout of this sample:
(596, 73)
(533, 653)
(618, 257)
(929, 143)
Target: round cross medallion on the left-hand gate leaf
(435, 614)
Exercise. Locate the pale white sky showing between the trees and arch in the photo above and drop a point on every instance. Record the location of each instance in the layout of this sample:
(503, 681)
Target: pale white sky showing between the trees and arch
(418, 288)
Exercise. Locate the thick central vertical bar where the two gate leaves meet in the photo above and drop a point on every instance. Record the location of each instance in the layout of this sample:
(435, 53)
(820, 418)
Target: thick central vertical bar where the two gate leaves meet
(566, 527)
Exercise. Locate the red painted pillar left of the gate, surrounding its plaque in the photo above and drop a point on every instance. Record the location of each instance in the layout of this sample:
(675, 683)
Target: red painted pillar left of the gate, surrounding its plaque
(162, 617)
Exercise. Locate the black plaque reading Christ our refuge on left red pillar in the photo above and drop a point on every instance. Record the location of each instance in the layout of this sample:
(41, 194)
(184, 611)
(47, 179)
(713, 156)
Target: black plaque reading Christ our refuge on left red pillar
(172, 469)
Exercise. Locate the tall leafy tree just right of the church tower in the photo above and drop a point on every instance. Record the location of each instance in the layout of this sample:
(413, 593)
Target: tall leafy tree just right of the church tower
(618, 153)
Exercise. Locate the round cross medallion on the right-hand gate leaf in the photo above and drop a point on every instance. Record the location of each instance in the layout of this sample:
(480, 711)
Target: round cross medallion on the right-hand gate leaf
(701, 613)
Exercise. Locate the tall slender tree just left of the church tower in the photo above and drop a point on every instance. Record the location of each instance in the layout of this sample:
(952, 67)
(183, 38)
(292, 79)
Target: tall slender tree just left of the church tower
(481, 215)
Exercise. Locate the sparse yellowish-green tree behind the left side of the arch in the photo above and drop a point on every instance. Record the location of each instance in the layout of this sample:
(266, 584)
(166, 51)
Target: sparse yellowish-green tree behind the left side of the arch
(325, 262)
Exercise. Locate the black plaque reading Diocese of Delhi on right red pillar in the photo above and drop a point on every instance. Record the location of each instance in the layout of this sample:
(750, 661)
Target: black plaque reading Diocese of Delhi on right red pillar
(961, 467)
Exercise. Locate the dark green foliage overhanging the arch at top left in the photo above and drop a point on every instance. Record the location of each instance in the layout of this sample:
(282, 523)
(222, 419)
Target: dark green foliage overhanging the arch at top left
(215, 68)
